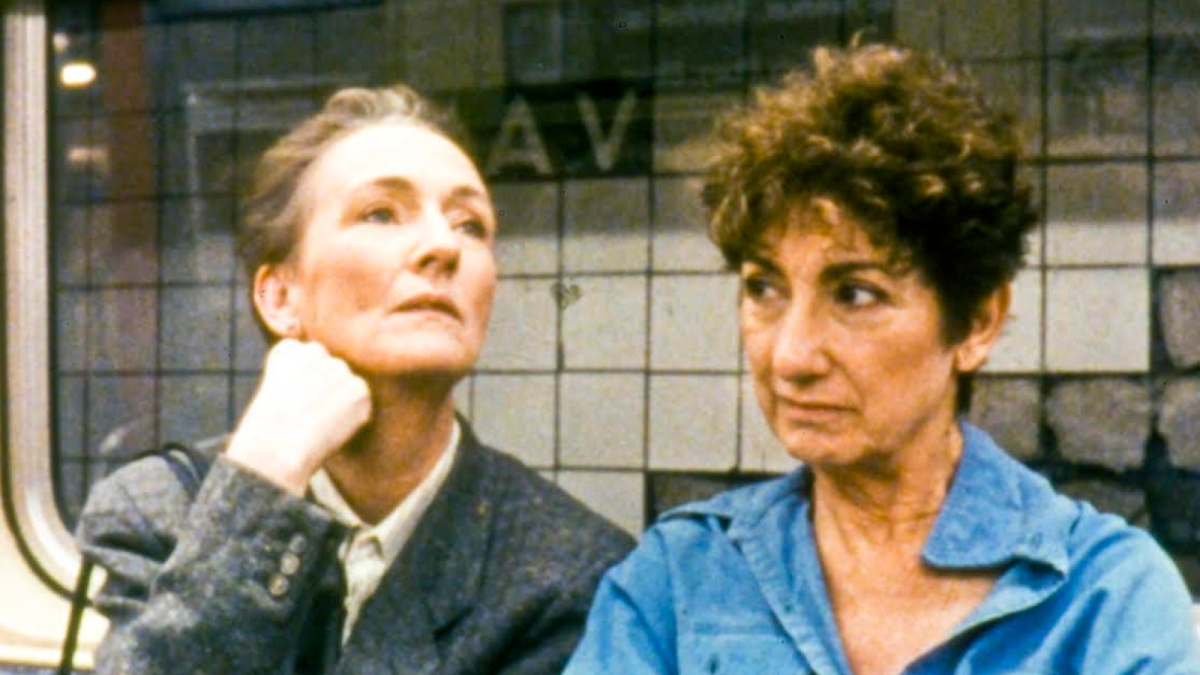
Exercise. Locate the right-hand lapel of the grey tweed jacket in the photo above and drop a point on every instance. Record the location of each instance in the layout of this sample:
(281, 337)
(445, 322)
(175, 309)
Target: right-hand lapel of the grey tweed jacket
(435, 581)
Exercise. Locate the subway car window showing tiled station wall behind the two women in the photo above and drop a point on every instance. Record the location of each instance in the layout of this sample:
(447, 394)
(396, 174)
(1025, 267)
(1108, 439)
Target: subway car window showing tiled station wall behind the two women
(615, 321)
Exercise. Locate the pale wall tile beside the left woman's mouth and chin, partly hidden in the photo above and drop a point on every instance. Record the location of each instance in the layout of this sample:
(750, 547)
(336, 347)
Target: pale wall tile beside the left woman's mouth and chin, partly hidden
(524, 328)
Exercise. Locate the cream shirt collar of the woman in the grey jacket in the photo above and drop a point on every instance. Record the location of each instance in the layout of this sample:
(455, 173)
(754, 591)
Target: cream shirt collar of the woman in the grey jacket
(394, 531)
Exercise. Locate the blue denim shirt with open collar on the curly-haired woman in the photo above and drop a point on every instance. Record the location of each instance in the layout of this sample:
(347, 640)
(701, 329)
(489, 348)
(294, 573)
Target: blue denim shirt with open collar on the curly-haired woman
(735, 586)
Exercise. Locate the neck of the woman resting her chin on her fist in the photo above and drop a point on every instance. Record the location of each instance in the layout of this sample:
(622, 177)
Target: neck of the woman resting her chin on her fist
(410, 429)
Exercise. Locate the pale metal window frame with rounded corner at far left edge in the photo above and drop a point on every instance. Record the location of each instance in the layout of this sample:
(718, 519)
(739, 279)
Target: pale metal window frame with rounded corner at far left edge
(38, 555)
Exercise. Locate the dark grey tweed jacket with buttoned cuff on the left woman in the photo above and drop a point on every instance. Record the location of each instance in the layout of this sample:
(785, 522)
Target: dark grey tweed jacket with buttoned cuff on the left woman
(497, 577)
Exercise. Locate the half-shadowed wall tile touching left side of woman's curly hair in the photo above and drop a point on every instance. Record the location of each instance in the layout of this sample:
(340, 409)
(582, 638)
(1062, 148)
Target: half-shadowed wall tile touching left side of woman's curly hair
(680, 238)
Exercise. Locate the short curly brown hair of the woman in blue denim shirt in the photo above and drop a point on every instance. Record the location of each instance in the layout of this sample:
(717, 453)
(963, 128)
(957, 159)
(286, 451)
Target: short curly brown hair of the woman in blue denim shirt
(904, 141)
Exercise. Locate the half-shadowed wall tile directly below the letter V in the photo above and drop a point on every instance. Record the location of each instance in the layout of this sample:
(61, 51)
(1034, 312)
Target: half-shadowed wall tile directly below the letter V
(607, 225)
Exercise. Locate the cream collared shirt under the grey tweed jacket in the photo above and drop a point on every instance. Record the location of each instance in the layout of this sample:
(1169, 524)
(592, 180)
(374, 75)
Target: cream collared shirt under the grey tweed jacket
(370, 551)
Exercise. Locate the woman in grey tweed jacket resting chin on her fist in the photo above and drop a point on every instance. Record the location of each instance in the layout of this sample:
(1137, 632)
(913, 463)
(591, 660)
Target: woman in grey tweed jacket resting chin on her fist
(353, 523)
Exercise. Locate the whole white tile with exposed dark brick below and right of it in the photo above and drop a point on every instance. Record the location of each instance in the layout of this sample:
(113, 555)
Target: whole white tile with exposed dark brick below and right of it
(1099, 320)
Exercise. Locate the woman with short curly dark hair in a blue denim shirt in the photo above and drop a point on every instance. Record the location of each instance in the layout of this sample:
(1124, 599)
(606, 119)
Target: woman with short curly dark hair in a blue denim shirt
(874, 214)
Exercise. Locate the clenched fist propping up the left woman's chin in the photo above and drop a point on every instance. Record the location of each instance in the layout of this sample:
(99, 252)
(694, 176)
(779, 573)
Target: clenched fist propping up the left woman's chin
(308, 407)
